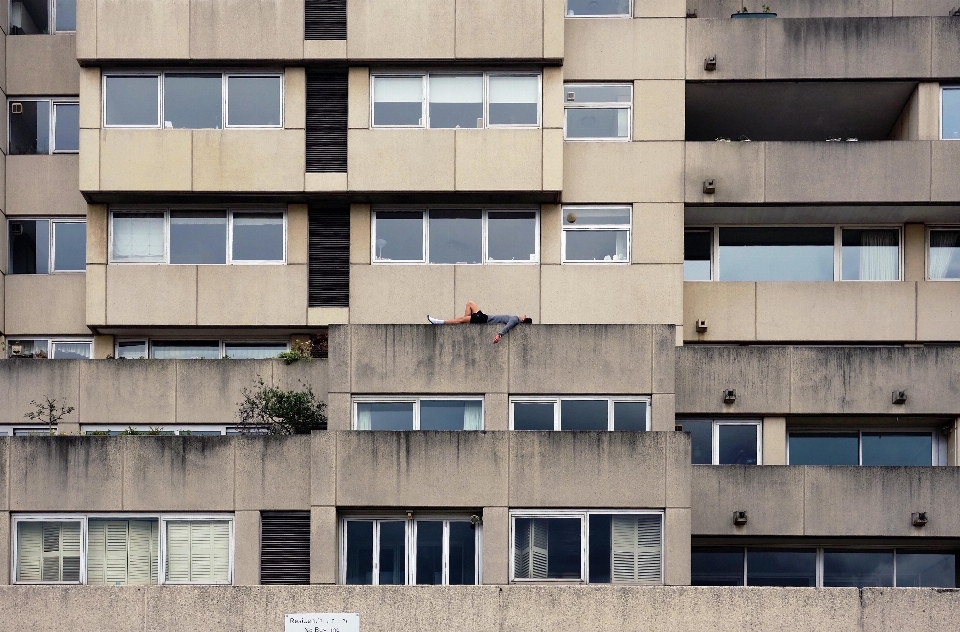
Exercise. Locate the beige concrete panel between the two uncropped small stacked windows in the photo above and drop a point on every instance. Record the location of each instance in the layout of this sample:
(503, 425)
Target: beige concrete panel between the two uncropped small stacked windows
(622, 172)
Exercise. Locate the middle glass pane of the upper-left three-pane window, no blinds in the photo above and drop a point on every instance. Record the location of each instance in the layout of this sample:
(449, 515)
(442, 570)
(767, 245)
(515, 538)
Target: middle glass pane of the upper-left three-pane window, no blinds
(193, 101)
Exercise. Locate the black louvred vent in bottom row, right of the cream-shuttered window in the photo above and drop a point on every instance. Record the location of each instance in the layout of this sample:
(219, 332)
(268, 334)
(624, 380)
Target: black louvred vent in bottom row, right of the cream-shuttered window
(285, 547)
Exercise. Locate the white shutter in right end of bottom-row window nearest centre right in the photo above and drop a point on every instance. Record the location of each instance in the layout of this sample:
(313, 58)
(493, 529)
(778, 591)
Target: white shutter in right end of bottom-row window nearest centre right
(636, 549)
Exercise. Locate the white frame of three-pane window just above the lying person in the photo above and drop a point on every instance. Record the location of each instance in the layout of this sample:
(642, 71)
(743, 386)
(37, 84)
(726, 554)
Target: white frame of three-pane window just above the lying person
(425, 225)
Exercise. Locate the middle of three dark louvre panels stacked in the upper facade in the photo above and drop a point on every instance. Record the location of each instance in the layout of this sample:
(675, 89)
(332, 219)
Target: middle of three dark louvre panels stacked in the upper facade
(327, 122)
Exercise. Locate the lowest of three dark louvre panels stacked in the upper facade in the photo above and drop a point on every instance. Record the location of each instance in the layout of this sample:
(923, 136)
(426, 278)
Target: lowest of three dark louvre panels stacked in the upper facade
(329, 274)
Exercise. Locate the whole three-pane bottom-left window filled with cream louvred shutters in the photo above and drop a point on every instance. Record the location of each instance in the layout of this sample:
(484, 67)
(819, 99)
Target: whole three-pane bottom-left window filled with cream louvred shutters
(123, 550)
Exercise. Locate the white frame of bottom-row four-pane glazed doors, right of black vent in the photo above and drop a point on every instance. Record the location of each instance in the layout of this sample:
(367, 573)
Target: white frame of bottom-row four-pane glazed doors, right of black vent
(410, 542)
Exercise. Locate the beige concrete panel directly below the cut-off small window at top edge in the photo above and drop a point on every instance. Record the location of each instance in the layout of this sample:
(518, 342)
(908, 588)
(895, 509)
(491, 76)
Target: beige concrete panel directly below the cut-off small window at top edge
(623, 49)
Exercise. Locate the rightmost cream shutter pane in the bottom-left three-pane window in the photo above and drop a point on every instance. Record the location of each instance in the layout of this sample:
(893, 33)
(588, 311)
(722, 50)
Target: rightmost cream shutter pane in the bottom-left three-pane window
(198, 552)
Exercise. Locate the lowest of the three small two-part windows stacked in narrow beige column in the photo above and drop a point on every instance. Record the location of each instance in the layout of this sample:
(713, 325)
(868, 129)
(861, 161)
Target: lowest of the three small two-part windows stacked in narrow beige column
(596, 234)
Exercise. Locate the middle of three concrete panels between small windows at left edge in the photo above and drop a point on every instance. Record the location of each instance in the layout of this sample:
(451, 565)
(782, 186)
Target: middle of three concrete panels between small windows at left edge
(44, 185)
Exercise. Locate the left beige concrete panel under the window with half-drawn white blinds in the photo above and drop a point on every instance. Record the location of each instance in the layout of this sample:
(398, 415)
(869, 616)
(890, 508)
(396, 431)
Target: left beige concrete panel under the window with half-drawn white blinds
(401, 159)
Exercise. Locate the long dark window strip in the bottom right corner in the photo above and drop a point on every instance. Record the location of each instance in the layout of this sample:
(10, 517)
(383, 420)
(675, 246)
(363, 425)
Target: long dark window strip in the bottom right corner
(823, 567)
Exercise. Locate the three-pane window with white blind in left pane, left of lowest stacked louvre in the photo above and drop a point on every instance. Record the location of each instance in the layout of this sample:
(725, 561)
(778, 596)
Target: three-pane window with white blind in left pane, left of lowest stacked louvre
(208, 237)
